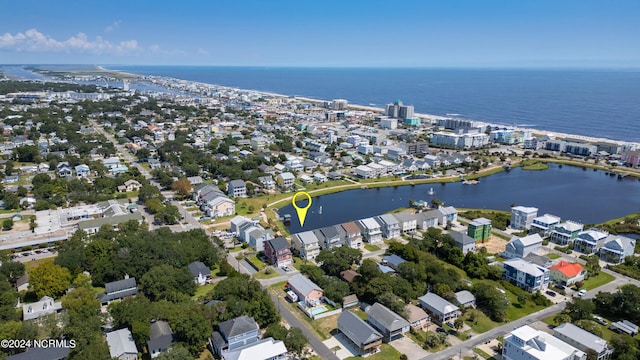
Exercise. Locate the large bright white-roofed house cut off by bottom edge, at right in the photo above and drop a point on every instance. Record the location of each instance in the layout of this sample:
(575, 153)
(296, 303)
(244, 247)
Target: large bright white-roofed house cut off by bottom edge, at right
(527, 343)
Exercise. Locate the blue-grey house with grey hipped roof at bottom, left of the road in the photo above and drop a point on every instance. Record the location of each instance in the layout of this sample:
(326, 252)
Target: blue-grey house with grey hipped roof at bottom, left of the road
(233, 334)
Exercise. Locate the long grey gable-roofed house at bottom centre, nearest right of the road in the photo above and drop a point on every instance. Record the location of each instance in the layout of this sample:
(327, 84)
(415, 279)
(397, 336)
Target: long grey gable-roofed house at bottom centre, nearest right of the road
(365, 338)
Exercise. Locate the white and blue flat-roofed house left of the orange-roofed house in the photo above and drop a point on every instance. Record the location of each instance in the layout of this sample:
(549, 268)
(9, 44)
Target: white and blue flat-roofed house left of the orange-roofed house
(526, 275)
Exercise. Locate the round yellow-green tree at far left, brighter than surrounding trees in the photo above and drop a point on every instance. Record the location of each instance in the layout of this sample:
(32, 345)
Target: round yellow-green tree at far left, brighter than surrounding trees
(49, 279)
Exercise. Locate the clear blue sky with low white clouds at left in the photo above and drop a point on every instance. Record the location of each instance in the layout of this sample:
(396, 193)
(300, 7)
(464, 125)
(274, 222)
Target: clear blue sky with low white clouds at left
(401, 33)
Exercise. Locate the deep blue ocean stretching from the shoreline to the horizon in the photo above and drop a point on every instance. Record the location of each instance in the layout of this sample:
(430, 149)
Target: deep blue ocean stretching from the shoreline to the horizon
(599, 103)
